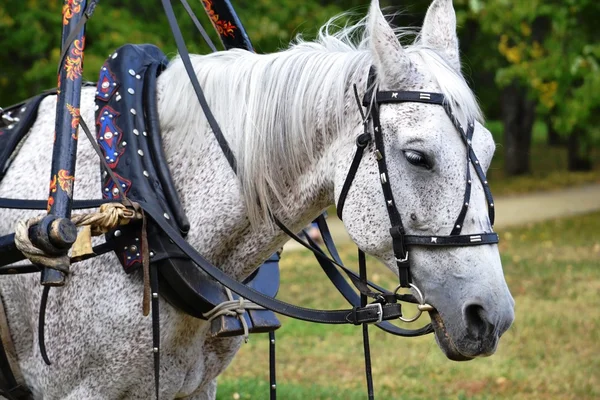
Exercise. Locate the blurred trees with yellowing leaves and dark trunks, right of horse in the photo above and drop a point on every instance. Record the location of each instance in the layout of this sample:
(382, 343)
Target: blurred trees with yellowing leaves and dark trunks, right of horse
(551, 54)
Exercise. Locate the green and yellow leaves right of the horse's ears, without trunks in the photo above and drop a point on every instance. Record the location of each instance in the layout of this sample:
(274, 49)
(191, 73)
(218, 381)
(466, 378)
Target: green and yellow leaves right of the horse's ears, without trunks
(551, 48)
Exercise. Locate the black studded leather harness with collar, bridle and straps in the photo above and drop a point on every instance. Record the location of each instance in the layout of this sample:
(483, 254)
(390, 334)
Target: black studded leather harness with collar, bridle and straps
(134, 148)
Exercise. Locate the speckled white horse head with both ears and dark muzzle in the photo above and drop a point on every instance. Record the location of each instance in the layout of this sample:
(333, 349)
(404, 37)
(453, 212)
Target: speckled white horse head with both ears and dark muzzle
(428, 170)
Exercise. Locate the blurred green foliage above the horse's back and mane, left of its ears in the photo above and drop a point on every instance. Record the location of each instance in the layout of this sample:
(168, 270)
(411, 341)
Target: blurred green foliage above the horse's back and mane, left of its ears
(30, 34)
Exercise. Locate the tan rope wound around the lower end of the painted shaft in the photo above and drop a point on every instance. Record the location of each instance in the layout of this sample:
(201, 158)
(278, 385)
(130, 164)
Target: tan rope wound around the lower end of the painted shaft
(110, 216)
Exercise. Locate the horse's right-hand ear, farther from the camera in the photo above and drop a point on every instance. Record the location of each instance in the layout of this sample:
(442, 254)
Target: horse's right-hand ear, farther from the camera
(439, 31)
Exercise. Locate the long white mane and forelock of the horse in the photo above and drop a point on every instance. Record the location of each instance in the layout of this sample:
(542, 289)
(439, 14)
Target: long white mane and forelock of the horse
(277, 109)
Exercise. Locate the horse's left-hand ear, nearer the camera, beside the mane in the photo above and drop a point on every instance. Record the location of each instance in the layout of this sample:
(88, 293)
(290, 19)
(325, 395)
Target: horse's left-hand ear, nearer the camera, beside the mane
(390, 59)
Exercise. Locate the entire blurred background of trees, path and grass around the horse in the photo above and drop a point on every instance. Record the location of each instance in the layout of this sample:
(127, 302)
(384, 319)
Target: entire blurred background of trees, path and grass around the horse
(534, 66)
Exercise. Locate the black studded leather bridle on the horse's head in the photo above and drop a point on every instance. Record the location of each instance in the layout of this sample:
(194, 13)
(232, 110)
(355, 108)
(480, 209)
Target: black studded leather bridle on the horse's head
(400, 239)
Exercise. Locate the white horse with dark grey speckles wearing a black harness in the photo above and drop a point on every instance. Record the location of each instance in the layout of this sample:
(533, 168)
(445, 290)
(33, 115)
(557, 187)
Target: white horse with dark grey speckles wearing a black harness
(291, 120)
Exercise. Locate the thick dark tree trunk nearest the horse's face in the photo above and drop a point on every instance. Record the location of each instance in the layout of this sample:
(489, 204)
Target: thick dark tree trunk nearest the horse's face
(518, 115)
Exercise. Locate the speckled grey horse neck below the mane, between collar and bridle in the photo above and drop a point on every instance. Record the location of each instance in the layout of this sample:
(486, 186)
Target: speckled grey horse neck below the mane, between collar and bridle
(213, 201)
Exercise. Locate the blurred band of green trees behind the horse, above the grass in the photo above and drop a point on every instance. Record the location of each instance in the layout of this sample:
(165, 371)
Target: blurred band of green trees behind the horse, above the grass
(534, 65)
